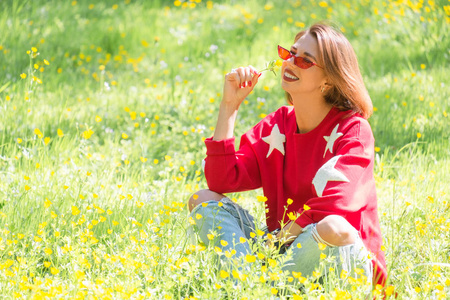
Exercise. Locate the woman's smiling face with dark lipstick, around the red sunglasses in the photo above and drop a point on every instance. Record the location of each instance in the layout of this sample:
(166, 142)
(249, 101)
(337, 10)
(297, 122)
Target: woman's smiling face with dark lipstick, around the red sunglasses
(302, 81)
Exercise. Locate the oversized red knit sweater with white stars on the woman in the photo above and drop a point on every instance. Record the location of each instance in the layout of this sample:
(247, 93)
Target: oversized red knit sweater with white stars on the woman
(330, 169)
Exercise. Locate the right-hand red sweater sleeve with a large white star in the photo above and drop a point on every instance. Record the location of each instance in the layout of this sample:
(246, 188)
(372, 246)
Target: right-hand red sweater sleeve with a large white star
(344, 184)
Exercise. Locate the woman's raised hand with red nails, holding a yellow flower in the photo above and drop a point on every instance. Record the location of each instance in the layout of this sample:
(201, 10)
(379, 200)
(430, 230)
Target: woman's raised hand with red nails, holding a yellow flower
(238, 84)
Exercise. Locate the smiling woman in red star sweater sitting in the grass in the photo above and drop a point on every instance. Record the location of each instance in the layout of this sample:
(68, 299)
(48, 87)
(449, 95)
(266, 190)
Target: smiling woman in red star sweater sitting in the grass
(314, 157)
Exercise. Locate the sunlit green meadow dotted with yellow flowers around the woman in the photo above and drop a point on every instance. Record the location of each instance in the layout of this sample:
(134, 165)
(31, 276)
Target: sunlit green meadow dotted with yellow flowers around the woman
(104, 108)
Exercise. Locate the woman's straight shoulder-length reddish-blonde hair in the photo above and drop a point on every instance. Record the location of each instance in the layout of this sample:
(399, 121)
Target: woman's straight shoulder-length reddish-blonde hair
(346, 87)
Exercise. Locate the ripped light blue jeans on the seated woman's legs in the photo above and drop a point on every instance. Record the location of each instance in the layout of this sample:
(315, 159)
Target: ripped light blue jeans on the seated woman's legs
(231, 223)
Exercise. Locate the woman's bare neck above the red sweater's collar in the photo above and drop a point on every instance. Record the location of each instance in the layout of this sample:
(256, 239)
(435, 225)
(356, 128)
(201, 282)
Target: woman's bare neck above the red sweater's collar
(310, 114)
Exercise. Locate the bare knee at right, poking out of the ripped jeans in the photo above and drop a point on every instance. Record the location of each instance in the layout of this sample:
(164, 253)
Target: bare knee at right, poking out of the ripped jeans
(336, 230)
